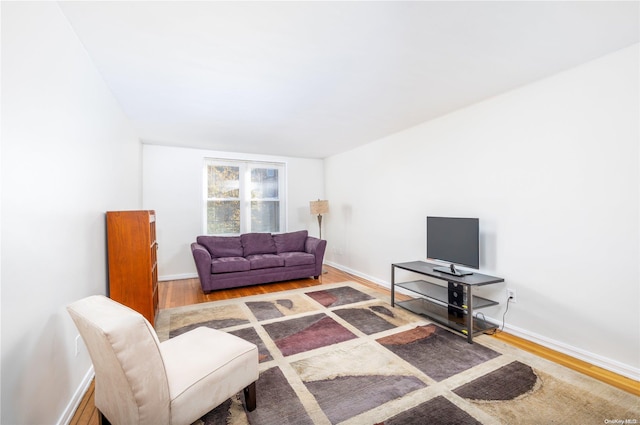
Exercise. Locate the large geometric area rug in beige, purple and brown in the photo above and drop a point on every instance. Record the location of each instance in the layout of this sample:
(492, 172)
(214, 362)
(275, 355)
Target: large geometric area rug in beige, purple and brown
(340, 354)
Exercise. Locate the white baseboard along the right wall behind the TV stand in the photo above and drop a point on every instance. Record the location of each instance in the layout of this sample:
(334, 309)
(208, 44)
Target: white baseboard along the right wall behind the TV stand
(578, 353)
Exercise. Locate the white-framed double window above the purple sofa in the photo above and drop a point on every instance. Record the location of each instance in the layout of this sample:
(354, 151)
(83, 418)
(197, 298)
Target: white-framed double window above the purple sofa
(244, 197)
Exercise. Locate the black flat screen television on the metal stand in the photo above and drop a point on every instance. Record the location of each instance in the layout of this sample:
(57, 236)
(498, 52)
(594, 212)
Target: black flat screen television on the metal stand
(454, 240)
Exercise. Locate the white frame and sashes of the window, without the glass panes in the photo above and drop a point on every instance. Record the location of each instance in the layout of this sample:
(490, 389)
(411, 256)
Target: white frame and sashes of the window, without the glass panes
(245, 167)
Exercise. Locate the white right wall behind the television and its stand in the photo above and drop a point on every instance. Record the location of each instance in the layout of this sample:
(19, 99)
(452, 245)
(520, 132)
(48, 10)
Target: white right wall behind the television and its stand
(551, 170)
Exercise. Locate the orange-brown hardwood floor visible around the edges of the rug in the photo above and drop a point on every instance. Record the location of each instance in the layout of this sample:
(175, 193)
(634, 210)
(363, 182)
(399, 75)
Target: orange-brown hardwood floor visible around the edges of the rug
(178, 293)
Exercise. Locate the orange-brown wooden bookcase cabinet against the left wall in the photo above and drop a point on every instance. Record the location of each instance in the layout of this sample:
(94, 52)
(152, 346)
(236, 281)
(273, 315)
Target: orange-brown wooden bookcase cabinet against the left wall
(133, 266)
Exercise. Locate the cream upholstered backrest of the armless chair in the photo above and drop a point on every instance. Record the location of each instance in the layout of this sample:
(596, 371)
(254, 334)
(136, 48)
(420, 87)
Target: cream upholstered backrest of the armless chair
(131, 384)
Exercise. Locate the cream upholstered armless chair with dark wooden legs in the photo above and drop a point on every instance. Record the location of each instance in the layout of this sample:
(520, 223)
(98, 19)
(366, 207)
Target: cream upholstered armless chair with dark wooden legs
(140, 380)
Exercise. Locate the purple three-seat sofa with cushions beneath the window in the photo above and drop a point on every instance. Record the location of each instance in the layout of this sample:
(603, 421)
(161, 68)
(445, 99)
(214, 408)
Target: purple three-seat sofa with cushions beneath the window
(255, 258)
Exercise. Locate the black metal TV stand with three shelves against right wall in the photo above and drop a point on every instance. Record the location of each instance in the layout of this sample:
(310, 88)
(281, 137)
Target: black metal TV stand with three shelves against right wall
(451, 305)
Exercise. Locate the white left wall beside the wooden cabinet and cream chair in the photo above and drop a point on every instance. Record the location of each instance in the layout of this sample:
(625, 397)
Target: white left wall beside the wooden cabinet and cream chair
(68, 155)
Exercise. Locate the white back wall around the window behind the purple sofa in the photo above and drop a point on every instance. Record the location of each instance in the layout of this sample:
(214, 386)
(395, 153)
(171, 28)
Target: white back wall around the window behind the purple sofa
(173, 187)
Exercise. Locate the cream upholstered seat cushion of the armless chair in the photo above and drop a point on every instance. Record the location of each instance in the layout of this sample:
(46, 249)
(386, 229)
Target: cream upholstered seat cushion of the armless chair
(217, 362)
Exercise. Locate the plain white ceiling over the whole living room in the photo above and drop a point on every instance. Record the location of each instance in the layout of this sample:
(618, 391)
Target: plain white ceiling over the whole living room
(315, 78)
